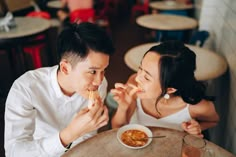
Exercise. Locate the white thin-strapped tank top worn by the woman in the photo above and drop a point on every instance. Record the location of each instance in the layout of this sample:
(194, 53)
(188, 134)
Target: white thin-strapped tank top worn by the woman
(172, 121)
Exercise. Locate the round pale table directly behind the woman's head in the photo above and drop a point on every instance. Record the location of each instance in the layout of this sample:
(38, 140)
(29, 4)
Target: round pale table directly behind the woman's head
(209, 65)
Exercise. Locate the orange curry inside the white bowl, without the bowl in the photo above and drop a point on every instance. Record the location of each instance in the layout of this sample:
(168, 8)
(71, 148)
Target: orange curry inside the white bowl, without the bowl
(134, 138)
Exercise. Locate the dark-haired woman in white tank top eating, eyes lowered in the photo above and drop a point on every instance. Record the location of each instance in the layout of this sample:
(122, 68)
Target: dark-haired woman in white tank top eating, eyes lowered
(165, 93)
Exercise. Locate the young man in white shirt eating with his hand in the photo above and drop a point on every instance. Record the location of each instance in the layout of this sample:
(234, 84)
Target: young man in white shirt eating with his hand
(46, 109)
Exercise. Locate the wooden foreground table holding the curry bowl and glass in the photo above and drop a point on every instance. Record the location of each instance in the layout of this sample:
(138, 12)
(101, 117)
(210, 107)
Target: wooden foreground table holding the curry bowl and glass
(106, 144)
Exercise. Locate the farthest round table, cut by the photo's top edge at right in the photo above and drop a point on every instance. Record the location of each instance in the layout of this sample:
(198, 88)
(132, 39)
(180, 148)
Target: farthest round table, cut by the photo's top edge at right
(170, 5)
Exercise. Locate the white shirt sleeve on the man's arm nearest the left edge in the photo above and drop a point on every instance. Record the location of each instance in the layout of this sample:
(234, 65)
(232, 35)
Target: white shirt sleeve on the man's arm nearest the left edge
(20, 125)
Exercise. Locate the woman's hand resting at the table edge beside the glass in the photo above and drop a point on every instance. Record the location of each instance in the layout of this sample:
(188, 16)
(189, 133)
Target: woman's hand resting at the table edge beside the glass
(192, 127)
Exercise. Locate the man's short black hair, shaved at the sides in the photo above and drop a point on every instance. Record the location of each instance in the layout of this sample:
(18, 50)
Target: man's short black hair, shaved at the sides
(77, 39)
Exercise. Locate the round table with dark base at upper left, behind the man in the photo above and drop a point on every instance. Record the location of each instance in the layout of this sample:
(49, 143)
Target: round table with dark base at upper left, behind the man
(26, 29)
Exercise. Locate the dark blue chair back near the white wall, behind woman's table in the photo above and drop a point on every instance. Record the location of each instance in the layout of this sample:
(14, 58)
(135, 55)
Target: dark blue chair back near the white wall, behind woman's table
(199, 37)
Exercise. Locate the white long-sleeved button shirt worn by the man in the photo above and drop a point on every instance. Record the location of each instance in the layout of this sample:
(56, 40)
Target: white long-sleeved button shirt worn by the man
(36, 111)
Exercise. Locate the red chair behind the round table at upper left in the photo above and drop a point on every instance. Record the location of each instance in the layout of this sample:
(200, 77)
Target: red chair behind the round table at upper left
(34, 50)
